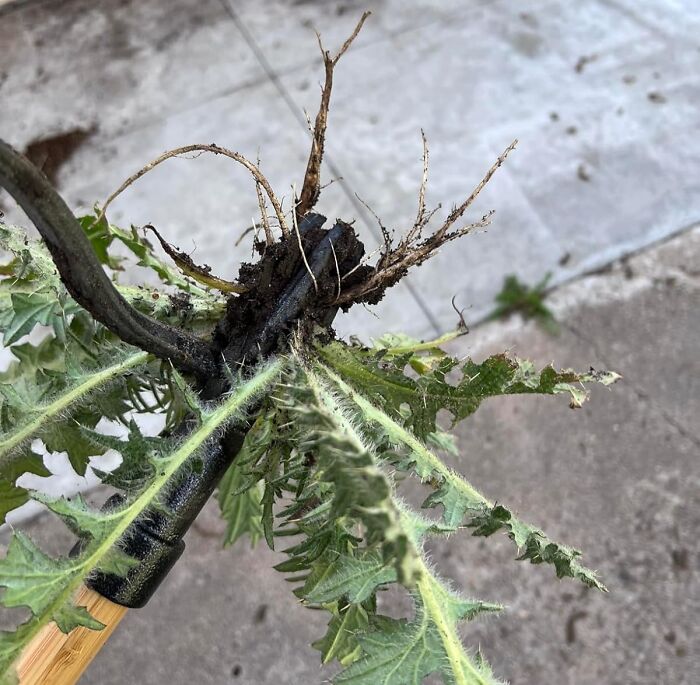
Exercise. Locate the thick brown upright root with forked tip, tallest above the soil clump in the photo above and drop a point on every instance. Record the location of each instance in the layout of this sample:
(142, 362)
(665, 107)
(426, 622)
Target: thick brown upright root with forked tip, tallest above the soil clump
(311, 188)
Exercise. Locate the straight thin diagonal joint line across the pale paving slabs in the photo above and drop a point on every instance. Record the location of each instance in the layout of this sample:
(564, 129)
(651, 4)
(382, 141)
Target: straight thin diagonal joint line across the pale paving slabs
(333, 168)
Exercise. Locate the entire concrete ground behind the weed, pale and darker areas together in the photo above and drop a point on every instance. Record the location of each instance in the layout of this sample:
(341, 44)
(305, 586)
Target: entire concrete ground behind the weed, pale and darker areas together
(603, 95)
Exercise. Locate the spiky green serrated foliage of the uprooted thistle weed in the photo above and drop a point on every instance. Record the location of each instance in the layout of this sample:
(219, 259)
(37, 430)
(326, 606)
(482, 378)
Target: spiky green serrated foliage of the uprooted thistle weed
(326, 460)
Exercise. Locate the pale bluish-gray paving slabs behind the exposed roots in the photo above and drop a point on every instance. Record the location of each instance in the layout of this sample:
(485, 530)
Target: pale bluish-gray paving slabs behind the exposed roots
(602, 95)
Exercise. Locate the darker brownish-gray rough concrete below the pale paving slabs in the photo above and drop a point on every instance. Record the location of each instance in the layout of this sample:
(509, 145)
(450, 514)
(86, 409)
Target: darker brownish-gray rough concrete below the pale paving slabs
(618, 478)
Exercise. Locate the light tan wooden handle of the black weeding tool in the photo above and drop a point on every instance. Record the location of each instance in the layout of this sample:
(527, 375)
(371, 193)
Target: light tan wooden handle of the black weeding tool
(54, 658)
